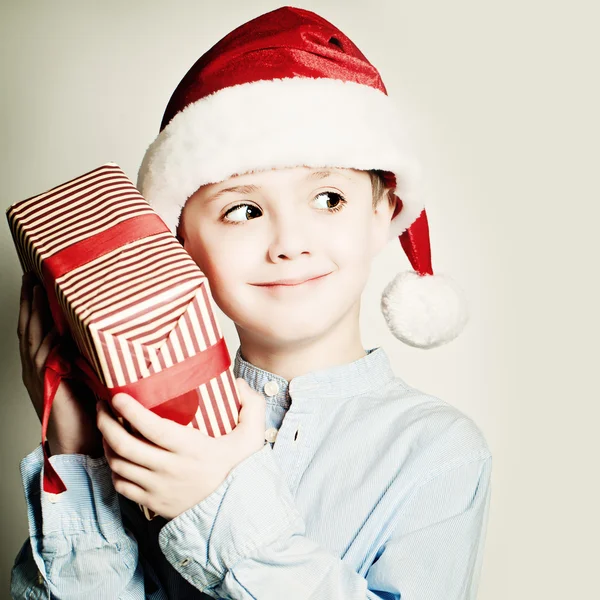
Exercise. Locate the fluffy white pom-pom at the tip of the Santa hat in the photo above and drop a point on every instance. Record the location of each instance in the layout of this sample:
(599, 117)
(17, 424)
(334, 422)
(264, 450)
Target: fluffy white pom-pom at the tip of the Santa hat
(424, 311)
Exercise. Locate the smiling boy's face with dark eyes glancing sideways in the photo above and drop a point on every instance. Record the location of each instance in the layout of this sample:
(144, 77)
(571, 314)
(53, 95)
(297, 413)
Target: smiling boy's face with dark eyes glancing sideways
(252, 231)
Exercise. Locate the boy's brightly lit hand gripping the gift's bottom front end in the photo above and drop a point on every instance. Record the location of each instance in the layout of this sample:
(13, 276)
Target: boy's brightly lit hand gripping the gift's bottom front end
(175, 466)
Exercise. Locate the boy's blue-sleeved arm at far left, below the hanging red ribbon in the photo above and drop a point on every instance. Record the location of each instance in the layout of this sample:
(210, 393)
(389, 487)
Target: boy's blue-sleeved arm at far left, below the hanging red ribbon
(78, 546)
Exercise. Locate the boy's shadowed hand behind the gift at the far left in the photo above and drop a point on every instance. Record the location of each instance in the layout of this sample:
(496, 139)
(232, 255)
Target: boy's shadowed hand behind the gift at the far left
(72, 426)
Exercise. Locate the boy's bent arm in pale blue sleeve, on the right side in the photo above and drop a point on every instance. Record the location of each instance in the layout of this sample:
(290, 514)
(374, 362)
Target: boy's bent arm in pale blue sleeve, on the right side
(247, 540)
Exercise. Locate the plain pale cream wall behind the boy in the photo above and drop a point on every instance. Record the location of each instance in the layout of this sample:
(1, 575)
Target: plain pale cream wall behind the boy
(502, 103)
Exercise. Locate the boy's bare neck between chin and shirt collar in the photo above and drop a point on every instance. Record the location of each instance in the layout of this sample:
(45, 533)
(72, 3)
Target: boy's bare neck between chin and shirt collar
(341, 346)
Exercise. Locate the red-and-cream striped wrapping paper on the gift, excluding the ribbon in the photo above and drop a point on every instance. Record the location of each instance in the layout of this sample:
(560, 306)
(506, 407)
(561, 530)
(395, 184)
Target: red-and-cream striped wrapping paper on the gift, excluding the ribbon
(135, 310)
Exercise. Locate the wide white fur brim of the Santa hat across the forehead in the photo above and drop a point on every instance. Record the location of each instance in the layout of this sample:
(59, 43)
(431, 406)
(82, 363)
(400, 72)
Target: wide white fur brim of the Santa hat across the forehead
(274, 124)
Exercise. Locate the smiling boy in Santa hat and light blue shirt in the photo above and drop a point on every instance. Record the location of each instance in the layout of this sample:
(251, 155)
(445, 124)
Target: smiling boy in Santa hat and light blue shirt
(278, 167)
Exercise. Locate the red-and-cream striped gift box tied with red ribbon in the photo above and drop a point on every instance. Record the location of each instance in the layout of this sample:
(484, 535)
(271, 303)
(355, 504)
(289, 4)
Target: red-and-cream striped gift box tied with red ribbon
(132, 301)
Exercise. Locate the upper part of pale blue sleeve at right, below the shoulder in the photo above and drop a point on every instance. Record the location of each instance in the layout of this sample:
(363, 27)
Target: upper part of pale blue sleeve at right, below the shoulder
(436, 548)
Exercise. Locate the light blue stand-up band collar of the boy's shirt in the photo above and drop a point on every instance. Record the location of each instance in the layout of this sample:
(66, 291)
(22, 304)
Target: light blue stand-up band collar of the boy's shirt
(339, 382)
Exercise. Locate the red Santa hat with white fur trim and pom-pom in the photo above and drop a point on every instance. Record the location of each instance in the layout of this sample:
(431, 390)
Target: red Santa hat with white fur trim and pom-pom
(289, 89)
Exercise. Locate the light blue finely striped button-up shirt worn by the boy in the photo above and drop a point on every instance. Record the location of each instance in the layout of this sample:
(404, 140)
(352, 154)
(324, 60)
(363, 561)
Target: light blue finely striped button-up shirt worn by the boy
(366, 488)
